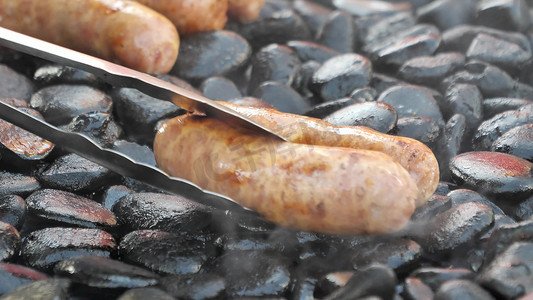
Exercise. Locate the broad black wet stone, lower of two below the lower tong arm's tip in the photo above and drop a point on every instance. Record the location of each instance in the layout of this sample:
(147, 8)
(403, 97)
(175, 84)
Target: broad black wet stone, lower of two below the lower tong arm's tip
(165, 252)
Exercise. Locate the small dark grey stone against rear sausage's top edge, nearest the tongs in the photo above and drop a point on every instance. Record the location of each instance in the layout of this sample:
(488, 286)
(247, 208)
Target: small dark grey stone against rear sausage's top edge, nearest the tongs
(282, 97)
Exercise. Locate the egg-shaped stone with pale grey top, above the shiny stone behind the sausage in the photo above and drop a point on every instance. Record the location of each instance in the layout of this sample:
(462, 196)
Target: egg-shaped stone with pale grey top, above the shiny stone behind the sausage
(340, 75)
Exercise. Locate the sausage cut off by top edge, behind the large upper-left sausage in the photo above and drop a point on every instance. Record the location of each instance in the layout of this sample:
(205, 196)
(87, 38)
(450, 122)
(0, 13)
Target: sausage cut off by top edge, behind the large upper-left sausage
(192, 16)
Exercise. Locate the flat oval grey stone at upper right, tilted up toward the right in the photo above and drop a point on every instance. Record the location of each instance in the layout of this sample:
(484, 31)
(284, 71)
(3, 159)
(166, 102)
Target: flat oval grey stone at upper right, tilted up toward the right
(430, 70)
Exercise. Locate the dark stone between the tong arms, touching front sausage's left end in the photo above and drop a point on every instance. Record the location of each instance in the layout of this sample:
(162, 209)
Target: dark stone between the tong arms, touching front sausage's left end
(138, 113)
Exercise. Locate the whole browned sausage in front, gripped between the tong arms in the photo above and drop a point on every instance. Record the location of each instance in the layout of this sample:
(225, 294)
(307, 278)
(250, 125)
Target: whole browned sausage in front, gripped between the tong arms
(314, 188)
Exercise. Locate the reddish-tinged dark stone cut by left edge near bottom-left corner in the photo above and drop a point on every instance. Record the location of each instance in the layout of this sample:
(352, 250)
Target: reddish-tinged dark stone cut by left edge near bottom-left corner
(12, 276)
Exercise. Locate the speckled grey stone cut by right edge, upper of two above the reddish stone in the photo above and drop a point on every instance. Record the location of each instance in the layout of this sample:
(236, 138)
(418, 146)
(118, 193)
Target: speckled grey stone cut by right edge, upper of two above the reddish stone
(490, 130)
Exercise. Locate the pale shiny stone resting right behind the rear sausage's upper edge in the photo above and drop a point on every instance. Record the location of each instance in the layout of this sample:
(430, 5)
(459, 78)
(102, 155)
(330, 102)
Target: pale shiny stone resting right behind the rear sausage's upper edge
(376, 115)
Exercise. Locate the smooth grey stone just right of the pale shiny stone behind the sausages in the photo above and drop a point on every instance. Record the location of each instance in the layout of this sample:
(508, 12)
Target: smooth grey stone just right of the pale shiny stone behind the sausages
(410, 101)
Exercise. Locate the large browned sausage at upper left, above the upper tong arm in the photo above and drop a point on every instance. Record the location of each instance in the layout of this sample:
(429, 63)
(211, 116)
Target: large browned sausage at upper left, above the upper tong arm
(121, 31)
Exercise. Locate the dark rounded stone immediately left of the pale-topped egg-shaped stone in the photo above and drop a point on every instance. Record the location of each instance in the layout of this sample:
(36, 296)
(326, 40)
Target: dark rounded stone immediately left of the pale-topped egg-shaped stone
(273, 63)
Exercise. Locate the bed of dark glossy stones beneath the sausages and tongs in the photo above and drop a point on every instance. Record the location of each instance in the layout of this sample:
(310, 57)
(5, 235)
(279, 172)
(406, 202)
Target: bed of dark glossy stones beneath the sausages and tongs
(454, 74)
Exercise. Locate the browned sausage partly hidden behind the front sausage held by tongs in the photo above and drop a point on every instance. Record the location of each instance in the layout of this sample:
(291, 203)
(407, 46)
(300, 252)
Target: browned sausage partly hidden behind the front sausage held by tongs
(413, 155)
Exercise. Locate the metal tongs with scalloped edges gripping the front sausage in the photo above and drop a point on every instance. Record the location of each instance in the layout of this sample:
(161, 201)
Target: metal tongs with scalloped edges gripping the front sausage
(122, 77)
